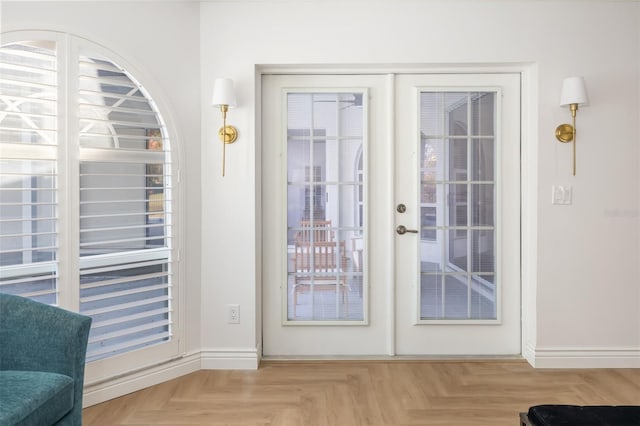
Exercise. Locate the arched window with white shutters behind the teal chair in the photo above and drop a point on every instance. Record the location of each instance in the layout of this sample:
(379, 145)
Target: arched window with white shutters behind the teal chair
(87, 195)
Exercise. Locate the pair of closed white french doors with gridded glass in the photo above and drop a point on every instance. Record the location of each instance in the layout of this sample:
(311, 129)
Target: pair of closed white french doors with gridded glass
(386, 199)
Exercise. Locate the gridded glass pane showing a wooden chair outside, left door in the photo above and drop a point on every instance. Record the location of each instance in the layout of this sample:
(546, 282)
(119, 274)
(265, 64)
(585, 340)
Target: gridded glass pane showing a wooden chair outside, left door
(325, 218)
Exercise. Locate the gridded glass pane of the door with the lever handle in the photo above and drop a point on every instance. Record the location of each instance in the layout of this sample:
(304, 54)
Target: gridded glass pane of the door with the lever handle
(457, 199)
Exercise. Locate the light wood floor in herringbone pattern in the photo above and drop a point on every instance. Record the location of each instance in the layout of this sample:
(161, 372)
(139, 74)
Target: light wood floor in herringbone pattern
(353, 393)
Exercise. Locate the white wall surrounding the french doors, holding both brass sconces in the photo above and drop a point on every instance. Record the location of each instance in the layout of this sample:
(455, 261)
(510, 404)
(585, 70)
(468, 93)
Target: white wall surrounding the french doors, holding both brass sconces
(582, 275)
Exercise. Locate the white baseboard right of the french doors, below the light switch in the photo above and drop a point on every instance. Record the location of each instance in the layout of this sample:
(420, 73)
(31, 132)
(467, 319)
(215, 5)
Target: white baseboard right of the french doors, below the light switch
(566, 357)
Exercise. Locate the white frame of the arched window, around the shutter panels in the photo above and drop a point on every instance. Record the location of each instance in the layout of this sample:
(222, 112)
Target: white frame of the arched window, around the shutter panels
(69, 47)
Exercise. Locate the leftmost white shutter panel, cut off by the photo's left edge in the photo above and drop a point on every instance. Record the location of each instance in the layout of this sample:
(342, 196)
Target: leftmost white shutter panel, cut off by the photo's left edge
(28, 171)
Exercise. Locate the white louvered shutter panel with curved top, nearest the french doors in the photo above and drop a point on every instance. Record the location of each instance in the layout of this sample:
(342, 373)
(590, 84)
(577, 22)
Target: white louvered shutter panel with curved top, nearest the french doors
(125, 219)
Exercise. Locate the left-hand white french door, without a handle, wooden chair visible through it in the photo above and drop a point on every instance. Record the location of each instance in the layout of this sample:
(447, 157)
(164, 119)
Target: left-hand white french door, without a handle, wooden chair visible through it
(325, 286)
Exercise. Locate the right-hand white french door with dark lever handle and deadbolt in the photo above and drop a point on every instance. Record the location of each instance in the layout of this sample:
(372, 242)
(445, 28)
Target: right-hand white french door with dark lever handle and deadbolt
(458, 175)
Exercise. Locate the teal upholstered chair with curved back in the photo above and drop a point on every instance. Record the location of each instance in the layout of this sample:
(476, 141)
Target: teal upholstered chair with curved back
(42, 356)
